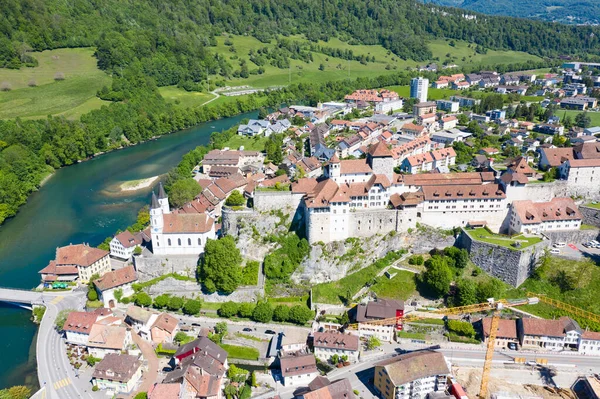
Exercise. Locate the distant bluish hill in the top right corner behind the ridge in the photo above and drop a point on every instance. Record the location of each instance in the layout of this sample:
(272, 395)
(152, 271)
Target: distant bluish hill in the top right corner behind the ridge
(564, 11)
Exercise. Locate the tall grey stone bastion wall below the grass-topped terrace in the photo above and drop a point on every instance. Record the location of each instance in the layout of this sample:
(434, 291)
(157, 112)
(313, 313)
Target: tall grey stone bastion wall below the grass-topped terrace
(509, 265)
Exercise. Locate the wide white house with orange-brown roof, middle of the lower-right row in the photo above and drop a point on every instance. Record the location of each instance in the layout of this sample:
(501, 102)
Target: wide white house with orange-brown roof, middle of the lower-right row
(548, 334)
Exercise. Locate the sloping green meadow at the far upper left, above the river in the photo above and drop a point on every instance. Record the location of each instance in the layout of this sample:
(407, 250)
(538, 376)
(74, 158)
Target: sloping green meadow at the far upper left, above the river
(71, 97)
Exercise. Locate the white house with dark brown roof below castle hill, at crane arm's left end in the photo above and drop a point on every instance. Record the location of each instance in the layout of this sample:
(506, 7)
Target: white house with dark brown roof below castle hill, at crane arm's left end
(386, 315)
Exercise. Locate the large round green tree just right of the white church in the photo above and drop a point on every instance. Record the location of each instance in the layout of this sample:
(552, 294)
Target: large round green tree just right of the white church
(220, 267)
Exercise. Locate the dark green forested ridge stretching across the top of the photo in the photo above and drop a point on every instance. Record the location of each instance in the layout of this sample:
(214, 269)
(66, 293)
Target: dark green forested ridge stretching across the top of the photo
(171, 37)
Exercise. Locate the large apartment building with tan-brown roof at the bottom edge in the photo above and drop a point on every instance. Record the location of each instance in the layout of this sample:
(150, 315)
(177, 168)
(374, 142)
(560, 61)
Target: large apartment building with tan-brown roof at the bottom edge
(412, 375)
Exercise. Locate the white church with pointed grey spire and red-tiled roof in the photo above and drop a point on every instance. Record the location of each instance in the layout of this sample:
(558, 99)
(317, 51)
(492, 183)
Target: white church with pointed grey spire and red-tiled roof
(175, 233)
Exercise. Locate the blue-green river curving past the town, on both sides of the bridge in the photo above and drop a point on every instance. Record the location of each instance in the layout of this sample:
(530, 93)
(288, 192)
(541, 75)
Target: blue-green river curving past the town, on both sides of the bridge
(79, 203)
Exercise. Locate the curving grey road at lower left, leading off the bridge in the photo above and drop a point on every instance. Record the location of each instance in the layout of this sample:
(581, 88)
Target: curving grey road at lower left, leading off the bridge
(54, 370)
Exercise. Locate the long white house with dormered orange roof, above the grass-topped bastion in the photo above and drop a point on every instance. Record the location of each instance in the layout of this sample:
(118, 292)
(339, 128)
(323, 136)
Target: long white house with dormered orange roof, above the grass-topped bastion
(531, 217)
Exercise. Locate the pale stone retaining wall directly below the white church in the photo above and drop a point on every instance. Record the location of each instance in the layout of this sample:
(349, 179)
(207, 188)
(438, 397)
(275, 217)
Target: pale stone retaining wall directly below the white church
(151, 266)
